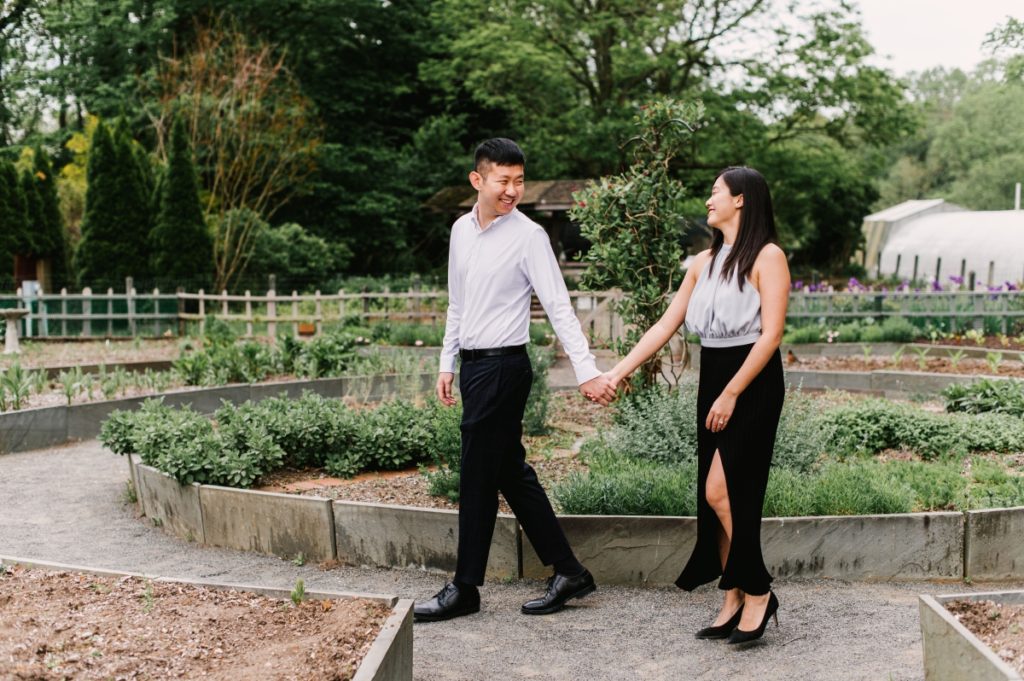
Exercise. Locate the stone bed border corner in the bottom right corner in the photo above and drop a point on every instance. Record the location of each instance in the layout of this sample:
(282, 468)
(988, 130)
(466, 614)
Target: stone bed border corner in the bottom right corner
(952, 652)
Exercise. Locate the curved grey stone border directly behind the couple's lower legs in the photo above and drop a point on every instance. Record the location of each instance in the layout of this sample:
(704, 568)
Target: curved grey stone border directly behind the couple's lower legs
(635, 550)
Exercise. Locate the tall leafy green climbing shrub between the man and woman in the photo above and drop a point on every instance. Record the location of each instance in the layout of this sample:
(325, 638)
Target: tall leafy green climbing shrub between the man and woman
(634, 222)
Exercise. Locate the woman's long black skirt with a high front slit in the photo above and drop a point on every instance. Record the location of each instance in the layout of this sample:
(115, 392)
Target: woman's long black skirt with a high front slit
(746, 447)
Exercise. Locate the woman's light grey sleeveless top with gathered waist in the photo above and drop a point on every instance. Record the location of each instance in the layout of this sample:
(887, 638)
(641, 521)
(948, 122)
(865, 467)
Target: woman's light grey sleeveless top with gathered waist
(719, 313)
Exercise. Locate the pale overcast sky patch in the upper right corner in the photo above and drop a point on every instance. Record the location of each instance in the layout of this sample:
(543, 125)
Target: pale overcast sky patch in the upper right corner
(921, 34)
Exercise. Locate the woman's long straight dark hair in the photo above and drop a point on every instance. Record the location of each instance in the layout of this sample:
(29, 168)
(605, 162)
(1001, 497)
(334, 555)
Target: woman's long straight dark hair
(757, 223)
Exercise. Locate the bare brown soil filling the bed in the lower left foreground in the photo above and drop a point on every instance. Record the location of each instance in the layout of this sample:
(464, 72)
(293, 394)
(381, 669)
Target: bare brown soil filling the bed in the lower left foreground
(68, 625)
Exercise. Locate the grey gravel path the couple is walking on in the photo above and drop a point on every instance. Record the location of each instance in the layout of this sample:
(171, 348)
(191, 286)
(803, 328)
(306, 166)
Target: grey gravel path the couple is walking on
(66, 505)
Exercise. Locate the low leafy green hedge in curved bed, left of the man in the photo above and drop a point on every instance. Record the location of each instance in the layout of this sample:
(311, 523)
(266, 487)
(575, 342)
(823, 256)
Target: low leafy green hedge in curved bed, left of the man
(242, 444)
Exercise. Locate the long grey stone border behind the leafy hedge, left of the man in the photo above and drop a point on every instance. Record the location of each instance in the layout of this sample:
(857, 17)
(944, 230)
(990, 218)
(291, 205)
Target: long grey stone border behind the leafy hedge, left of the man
(49, 427)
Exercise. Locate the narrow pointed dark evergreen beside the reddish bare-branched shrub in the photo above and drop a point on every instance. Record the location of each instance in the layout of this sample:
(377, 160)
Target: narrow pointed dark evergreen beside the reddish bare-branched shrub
(183, 247)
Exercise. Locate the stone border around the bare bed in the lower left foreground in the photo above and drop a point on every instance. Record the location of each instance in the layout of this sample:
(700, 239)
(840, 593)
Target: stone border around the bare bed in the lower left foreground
(390, 658)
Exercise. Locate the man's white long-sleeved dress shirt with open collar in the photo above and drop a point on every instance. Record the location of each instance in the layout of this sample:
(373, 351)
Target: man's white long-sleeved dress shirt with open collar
(492, 275)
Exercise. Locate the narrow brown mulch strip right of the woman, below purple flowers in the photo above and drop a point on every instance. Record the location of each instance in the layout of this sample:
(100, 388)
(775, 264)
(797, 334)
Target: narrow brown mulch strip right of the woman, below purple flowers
(1009, 366)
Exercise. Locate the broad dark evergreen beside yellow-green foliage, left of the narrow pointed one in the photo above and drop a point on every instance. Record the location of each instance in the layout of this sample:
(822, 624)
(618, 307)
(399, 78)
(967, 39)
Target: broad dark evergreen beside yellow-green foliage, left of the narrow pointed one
(113, 246)
